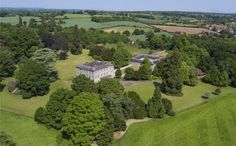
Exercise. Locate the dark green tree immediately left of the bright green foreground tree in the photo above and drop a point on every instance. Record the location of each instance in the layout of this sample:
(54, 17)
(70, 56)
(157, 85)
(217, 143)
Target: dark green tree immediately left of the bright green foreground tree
(57, 106)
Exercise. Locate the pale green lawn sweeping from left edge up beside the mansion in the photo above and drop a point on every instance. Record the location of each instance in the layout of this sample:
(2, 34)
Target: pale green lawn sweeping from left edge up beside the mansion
(67, 71)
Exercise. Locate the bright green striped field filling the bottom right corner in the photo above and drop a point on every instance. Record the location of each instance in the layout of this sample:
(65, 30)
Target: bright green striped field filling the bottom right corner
(210, 124)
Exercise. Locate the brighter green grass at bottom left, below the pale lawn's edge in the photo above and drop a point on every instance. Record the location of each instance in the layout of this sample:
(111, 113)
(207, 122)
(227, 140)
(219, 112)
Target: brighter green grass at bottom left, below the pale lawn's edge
(26, 132)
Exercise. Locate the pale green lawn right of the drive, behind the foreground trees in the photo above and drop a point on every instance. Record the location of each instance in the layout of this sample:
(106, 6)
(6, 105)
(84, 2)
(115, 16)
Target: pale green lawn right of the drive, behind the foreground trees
(191, 97)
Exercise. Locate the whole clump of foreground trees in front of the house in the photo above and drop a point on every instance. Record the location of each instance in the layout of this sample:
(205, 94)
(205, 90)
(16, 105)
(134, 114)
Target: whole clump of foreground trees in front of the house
(92, 112)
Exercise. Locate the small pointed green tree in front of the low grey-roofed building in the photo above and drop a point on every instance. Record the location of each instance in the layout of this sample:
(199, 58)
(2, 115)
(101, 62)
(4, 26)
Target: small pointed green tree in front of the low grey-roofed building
(145, 70)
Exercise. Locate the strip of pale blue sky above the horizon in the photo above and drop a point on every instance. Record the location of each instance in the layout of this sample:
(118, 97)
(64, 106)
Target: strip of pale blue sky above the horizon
(221, 6)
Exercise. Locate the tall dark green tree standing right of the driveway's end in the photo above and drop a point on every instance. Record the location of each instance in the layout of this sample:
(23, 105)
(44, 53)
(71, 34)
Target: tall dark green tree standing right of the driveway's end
(172, 78)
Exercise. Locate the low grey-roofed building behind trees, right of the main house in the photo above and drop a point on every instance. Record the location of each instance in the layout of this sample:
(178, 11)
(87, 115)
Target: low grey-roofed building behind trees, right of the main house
(152, 58)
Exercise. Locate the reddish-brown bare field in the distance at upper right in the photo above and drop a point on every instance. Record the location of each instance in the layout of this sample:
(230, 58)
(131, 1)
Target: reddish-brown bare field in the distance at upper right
(187, 30)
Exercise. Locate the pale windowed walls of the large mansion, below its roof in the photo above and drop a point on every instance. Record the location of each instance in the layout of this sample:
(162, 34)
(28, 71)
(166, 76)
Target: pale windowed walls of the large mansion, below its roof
(97, 73)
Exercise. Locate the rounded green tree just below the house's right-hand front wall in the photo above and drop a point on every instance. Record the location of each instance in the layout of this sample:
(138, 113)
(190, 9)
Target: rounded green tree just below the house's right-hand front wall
(107, 86)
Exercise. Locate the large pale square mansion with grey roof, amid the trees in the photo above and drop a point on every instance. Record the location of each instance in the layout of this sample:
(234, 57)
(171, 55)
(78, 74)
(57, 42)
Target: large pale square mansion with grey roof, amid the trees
(96, 70)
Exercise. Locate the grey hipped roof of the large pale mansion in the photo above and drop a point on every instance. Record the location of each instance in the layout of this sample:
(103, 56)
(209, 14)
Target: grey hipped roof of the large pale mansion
(94, 66)
